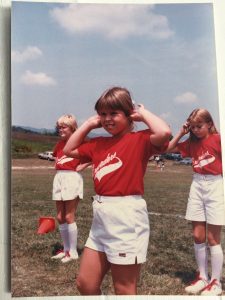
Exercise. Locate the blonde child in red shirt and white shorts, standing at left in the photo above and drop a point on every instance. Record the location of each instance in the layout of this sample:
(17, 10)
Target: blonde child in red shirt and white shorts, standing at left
(67, 190)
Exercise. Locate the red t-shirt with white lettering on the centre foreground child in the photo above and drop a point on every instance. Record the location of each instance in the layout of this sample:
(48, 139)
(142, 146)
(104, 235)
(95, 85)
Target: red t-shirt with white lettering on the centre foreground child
(119, 164)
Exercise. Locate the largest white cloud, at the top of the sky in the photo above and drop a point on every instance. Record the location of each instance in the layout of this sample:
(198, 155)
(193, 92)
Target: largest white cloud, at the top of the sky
(113, 21)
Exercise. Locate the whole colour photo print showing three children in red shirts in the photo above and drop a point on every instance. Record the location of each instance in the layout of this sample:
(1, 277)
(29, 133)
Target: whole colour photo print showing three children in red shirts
(162, 59)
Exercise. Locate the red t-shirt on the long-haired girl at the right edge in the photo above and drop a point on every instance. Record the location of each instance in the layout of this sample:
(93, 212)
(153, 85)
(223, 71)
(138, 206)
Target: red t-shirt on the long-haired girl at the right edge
(205, 153)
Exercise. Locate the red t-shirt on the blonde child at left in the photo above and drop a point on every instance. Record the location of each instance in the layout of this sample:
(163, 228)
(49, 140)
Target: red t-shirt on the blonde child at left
(62, 161)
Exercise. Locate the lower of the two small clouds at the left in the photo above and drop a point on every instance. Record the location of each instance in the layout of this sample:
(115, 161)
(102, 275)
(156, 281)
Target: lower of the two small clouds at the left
(41, 79)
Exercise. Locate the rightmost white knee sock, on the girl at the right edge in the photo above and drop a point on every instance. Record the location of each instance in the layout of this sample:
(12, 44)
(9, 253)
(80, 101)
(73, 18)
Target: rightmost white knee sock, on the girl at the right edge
(216, 261)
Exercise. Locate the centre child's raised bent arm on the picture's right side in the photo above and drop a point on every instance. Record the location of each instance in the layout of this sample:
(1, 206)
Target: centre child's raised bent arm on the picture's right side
(159, 129)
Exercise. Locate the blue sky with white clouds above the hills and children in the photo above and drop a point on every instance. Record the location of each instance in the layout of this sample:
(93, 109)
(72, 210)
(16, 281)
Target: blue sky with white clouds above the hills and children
(65, 55)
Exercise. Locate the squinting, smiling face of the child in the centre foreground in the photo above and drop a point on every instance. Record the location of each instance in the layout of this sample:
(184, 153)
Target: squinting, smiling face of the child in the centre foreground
(115, 122)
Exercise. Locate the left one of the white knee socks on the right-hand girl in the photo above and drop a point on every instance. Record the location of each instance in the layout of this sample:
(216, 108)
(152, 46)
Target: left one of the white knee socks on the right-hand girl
(201, 257)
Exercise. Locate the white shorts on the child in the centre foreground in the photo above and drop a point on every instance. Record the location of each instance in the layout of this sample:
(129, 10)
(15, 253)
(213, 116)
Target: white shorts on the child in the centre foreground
(120, 228)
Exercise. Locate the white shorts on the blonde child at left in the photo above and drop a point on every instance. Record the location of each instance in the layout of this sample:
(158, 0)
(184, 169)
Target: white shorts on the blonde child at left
(67, 185)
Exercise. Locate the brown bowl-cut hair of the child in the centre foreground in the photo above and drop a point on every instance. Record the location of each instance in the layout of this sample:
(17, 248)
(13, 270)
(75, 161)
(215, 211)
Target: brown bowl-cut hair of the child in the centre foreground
(115, 98)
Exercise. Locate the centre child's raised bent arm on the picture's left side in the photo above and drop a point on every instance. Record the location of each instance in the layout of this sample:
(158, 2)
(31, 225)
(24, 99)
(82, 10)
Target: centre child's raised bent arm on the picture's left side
(78, 137)
